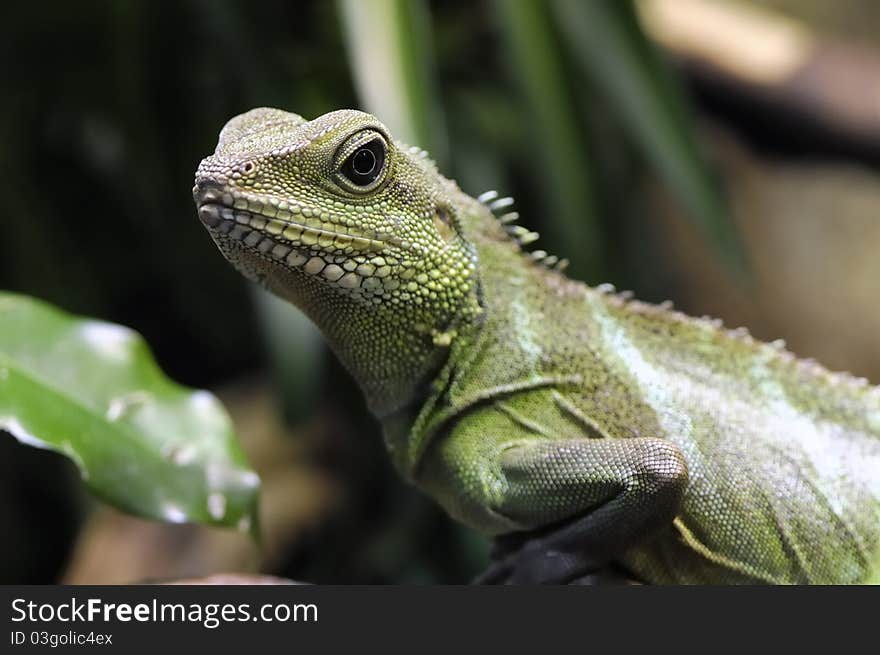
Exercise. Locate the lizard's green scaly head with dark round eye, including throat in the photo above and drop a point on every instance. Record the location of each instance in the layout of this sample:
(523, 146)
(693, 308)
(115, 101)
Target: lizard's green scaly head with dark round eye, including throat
(360, 232)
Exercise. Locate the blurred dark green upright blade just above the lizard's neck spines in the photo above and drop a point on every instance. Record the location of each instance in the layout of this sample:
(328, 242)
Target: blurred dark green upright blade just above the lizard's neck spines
(563, 163)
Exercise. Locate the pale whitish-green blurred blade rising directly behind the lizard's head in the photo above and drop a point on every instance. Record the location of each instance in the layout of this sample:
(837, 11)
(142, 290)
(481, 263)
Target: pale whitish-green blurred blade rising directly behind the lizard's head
(388, 44)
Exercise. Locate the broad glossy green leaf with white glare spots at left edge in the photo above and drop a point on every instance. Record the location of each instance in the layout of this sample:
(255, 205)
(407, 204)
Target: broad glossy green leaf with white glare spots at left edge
(92, 391)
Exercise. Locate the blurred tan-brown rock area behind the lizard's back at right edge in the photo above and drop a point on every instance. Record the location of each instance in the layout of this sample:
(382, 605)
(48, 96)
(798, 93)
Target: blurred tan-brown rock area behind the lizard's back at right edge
(812, 233)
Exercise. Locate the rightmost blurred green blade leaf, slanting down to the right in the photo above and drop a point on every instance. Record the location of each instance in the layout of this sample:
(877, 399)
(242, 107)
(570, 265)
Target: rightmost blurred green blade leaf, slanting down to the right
(611, 48)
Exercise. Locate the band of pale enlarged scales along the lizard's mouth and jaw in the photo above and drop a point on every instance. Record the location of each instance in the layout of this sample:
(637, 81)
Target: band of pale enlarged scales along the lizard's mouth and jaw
(288, 242)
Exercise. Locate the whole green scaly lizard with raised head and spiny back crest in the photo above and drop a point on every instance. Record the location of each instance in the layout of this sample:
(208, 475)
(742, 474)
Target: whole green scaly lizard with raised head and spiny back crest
(594, 429)
